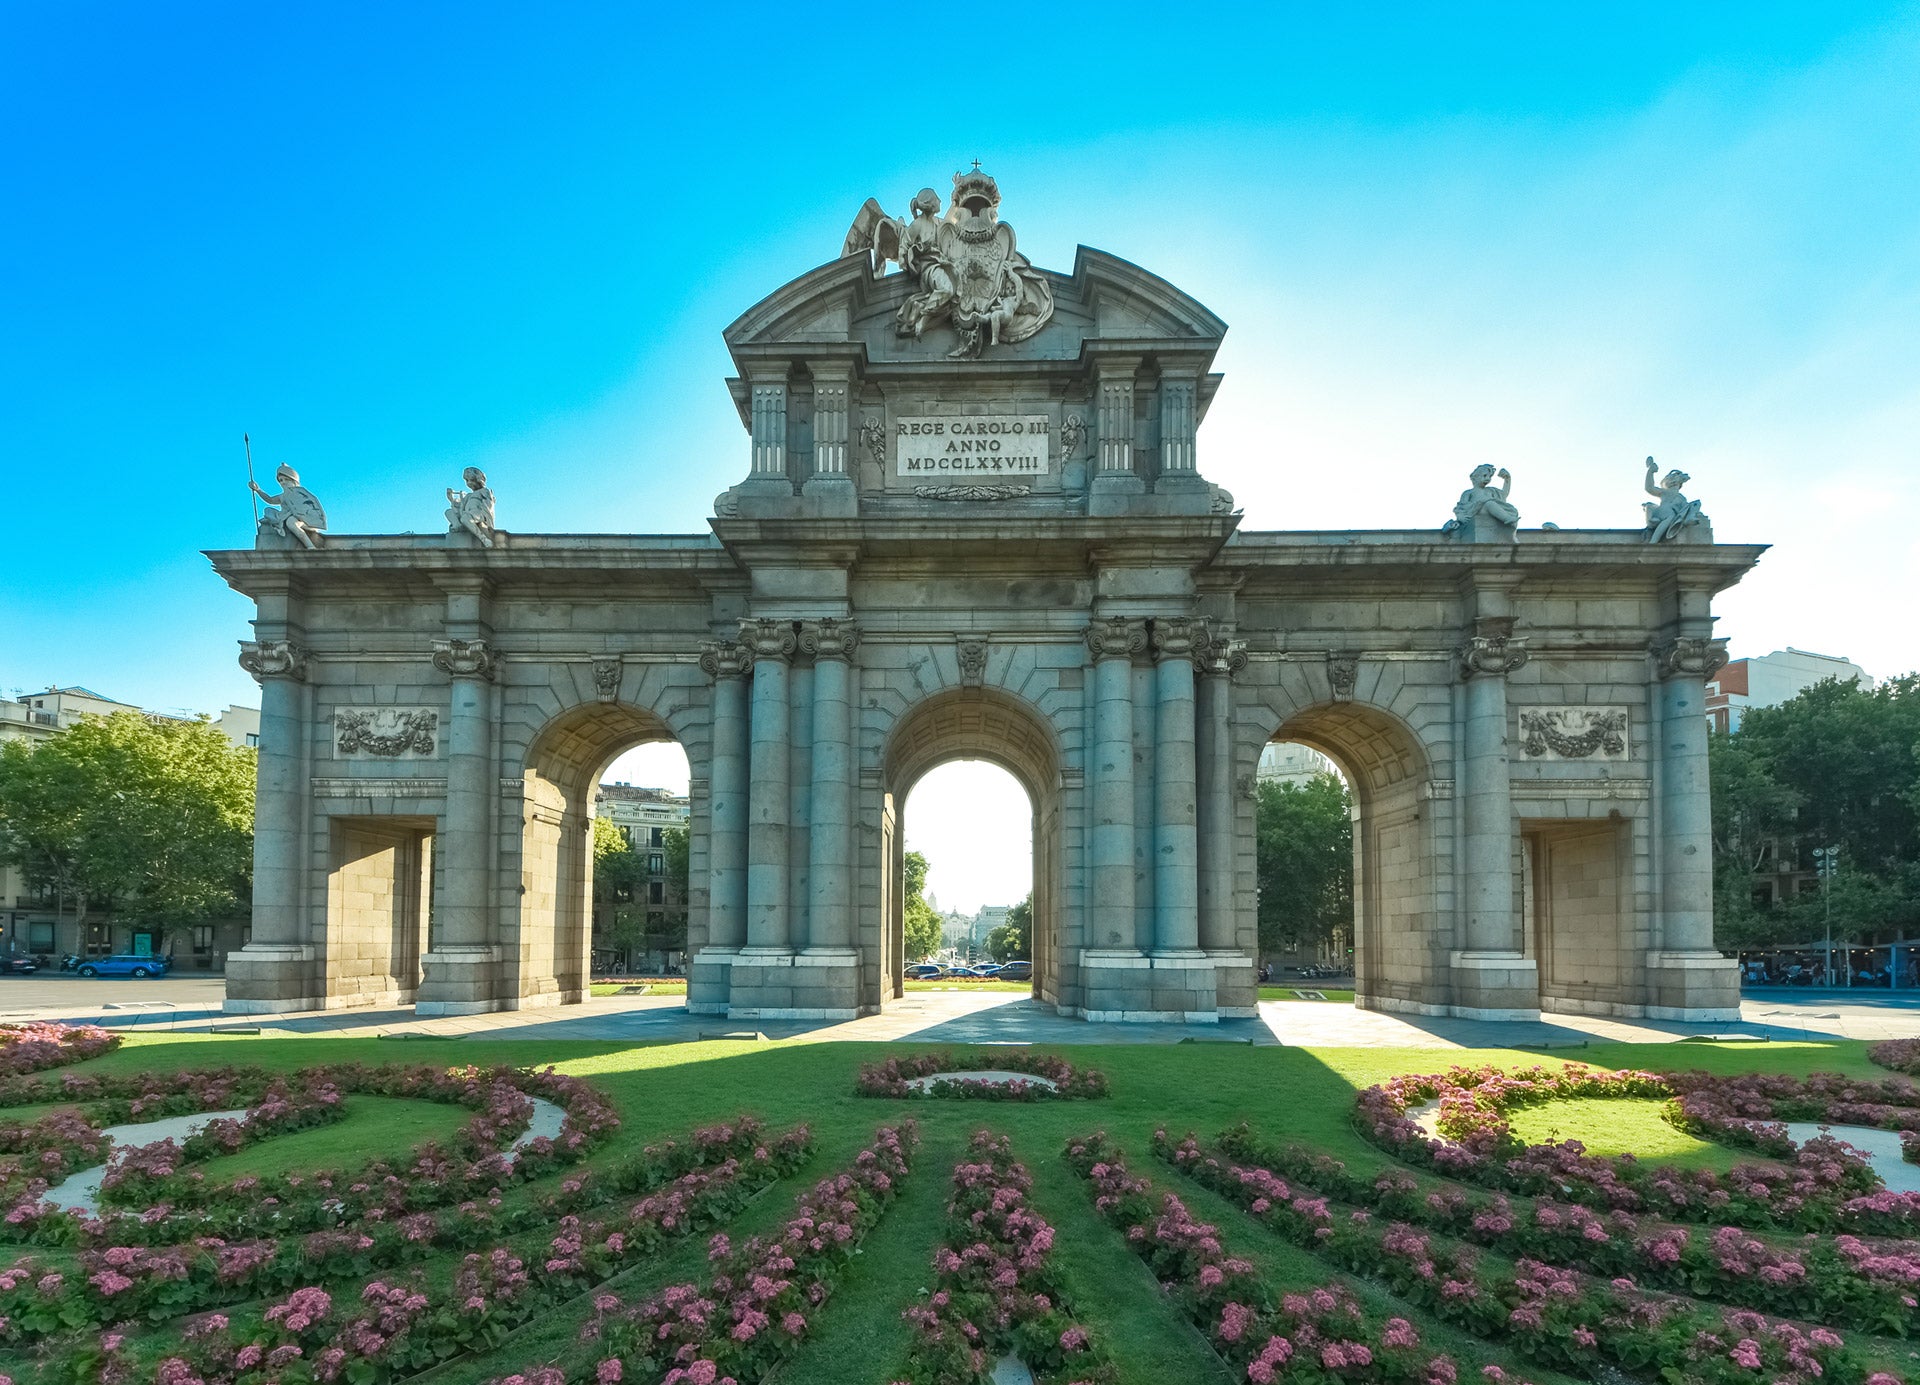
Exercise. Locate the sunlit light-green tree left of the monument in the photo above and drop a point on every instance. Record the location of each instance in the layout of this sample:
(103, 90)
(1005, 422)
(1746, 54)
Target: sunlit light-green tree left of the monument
(149, 815)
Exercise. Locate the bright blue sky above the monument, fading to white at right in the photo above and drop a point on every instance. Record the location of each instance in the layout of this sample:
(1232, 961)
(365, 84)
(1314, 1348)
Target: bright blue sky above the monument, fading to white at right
(393, 241)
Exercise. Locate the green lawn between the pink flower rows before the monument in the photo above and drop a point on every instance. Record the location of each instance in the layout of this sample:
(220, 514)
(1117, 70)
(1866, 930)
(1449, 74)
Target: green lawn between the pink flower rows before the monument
(669, 1088)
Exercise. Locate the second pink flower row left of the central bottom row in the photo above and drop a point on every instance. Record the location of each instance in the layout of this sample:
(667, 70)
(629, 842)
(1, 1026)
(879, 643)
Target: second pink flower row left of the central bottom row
(406, 1328)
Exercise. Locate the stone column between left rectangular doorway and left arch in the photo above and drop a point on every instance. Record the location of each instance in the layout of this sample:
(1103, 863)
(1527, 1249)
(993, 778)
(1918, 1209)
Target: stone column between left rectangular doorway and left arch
(460, 965)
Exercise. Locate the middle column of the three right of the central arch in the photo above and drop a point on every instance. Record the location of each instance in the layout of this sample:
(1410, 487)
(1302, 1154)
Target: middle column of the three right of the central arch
(1176, 792)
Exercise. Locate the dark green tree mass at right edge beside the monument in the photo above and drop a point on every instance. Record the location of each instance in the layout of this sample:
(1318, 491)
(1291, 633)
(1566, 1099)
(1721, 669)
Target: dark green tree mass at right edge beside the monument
(1836, 765)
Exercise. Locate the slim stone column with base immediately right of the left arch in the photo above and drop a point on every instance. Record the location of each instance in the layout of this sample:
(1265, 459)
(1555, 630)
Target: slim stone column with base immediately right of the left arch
(709, 981)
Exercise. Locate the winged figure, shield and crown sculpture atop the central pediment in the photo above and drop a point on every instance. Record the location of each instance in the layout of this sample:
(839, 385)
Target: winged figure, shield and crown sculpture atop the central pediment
(967, 266)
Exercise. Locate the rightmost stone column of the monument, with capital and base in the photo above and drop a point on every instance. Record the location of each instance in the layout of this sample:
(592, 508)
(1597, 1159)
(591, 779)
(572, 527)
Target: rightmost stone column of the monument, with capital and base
(1689, 979)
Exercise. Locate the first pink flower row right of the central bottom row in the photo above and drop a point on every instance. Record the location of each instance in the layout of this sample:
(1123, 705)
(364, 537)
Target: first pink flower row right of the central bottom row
(1318, 1336)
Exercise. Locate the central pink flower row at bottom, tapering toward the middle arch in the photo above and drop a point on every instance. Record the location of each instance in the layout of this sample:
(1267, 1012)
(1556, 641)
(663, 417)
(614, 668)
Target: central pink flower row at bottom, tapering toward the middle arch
(994, 1292)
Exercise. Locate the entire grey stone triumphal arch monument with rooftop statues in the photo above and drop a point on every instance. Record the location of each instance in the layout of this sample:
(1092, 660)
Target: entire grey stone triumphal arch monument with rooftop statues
(974, 525)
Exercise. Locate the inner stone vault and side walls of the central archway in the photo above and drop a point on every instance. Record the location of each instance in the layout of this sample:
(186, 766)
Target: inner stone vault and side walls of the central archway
(972, 725)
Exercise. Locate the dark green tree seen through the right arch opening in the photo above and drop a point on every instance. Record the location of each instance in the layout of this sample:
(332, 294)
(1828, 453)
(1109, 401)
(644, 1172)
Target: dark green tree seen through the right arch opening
(1305, 863)
